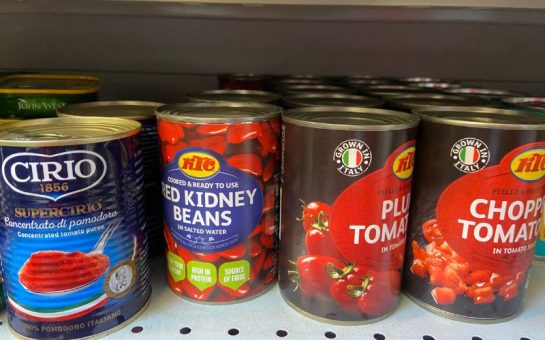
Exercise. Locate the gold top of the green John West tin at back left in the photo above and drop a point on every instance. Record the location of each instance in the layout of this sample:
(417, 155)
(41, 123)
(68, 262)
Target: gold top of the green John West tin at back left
(28, 83)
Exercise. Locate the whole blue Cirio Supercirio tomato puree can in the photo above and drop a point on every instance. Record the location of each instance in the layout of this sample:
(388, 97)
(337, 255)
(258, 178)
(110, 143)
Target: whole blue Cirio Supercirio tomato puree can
(74, 251)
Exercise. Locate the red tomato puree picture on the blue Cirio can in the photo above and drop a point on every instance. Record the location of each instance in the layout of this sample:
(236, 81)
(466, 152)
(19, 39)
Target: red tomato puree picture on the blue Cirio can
(52, 271)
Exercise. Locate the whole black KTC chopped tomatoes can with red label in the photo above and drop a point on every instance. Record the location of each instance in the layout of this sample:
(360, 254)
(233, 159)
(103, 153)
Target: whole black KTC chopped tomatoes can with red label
(478, 199)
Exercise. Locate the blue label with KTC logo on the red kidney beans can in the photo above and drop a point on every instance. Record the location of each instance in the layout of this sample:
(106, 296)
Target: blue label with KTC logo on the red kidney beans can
(209, 205)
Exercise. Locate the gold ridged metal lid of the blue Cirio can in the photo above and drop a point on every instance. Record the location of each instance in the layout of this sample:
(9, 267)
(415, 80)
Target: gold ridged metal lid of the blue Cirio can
(66, 131)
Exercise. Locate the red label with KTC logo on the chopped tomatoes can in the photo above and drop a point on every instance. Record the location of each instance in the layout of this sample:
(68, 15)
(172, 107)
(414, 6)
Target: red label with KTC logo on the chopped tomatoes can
(491, 217)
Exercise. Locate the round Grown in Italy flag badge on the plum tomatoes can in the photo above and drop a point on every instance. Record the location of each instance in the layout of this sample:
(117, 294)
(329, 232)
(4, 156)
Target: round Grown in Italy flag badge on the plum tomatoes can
(352, 157)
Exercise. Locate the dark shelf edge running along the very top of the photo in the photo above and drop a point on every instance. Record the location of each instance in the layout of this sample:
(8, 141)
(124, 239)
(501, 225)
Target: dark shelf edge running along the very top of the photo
(527, 12)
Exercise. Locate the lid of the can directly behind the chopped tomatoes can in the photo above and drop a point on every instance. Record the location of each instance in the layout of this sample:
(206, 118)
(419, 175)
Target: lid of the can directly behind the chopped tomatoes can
(414, 101)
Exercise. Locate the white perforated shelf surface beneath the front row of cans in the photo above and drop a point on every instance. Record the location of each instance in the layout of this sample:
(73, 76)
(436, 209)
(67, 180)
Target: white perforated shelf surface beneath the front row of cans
(262, 317)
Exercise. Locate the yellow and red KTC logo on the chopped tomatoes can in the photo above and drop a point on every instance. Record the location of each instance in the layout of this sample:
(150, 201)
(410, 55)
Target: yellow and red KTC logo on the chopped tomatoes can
(529, 165)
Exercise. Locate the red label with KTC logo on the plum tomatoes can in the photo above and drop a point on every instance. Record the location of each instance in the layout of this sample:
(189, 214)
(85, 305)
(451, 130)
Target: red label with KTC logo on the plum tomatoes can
(368, 220)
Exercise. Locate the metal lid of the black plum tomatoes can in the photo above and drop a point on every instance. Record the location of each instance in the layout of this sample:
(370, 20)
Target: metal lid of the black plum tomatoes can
(350, 118)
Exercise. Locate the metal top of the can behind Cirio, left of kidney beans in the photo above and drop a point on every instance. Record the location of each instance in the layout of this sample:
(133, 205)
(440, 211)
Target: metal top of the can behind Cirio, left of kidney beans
(72, 109)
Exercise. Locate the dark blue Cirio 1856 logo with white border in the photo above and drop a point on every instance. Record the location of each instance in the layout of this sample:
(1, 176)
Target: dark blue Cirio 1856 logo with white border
(53, 176)
